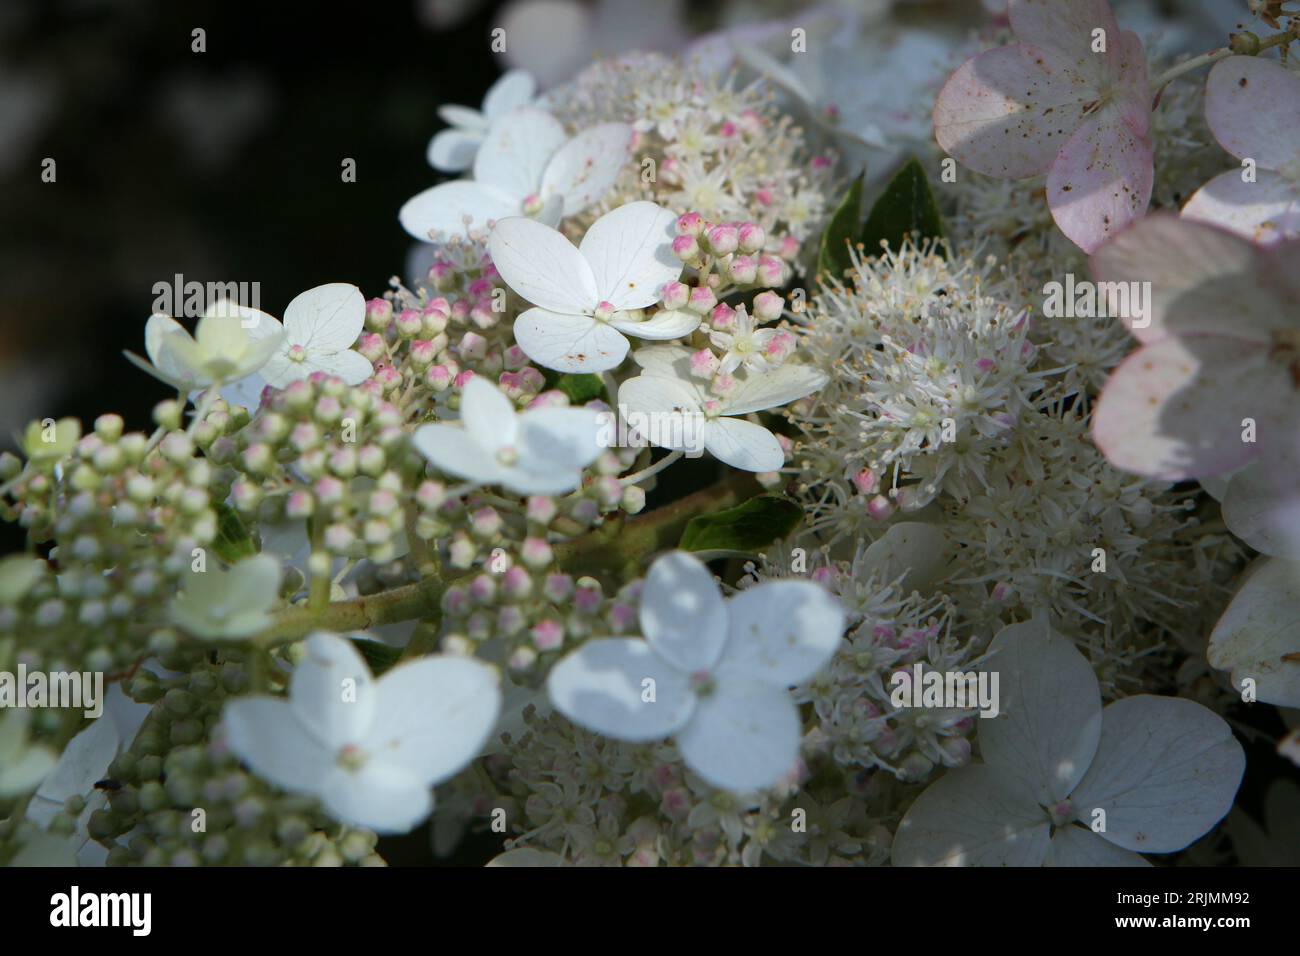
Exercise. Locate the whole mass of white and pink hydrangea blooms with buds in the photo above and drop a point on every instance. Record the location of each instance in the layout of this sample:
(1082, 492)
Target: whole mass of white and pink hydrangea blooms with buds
(434, 556)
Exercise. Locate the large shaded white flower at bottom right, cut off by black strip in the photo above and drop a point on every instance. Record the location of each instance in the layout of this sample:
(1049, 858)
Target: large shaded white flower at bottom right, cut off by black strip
(1069, 784)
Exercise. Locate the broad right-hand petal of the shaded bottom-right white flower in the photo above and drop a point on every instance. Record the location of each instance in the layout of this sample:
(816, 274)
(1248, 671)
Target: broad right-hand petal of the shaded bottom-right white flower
(1167, 772)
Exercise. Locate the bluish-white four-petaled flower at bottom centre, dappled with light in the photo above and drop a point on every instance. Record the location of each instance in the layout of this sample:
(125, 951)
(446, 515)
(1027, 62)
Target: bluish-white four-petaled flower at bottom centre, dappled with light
(712, 673)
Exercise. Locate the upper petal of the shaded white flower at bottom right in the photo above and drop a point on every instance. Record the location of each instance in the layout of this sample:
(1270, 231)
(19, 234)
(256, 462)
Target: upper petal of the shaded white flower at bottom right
(1051, 712)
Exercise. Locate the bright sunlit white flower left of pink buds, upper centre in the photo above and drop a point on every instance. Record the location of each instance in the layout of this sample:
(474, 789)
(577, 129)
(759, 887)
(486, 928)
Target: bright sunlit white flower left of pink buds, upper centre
(590, 296)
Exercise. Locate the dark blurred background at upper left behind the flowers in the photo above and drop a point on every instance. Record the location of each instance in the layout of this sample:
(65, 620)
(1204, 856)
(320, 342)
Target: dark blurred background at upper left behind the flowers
(223, 166)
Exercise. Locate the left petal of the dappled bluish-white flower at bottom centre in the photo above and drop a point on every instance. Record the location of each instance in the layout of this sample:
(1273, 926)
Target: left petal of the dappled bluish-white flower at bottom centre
(622, 689)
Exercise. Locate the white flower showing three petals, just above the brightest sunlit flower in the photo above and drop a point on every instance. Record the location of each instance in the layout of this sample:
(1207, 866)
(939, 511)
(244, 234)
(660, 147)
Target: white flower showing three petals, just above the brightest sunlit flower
(526, 167)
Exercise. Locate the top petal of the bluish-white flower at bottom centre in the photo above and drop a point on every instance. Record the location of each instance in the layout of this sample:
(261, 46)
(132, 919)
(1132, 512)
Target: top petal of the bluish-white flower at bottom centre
(683, 615)
